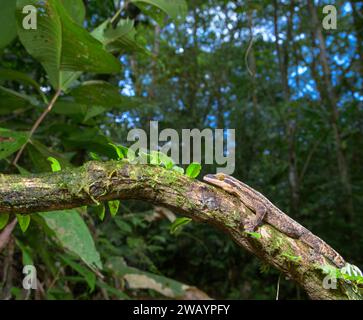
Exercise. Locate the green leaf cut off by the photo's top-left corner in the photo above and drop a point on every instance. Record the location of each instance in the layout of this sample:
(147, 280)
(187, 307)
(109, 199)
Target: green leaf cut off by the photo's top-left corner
(8, 22)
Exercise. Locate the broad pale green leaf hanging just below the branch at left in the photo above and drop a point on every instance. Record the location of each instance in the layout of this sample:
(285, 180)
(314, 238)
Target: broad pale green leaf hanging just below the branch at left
(73, 234)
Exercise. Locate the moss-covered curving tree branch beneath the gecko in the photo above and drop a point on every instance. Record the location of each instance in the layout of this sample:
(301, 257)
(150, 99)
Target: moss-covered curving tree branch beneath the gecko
(102, 181)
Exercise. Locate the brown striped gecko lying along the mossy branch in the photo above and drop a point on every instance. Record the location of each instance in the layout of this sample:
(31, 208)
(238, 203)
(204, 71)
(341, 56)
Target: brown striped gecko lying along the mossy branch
(268, 212)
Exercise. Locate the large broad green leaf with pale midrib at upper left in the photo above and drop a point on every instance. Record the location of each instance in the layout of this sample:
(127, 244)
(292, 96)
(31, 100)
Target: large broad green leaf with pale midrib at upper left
(62, 45)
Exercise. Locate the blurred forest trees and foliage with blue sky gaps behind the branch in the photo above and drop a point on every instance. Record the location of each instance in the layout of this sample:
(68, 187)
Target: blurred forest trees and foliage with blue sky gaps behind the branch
(297, 112)
